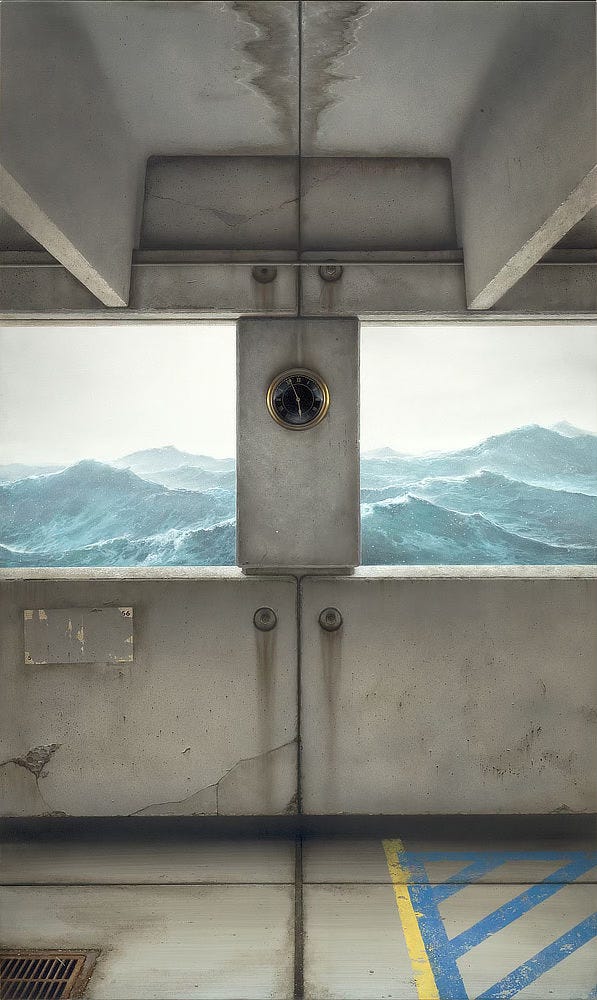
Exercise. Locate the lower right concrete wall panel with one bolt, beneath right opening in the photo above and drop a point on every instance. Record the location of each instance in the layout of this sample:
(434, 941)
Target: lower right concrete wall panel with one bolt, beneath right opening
(450, 696)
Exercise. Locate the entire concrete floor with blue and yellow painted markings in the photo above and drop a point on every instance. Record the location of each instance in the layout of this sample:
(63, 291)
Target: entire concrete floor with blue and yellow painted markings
(320, 917)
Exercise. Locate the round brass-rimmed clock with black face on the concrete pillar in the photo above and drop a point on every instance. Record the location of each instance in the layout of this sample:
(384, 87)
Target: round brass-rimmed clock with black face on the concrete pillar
(297, 399)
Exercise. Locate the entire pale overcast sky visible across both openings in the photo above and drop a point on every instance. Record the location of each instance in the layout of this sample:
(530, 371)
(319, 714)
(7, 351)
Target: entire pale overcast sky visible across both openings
(68, 393)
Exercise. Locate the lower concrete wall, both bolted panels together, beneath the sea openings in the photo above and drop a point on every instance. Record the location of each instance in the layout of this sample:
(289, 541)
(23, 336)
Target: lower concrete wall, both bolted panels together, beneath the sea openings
(444, 691)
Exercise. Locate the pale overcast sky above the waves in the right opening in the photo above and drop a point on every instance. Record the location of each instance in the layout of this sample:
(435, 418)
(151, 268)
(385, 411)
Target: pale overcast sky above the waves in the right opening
(427, 388)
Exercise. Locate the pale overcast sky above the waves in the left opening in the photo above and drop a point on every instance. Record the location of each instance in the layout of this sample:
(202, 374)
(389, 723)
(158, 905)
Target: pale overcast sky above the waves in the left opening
(68, 393)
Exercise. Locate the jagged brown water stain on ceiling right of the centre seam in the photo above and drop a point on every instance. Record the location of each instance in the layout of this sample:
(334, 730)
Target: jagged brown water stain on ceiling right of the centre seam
(331, 34)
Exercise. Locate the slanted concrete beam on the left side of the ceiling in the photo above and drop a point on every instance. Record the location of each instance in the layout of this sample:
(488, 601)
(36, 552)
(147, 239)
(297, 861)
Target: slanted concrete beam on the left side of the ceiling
(69, 174)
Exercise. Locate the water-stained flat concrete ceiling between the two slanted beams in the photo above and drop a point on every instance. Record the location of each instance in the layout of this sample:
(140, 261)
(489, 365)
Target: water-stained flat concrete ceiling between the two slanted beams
(380, 78)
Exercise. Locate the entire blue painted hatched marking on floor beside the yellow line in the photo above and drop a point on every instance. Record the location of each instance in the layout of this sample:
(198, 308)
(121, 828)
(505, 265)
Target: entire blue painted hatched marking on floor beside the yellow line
(443, 952)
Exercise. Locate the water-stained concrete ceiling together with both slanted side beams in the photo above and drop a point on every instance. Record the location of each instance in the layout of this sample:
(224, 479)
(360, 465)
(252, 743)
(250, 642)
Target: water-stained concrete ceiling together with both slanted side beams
(503, 89)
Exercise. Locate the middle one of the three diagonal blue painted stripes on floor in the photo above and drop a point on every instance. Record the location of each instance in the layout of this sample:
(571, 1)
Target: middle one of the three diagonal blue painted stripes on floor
(518, 906)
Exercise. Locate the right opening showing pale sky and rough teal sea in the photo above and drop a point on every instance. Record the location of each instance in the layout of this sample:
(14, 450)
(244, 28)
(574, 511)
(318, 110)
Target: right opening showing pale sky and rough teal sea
(479, 445)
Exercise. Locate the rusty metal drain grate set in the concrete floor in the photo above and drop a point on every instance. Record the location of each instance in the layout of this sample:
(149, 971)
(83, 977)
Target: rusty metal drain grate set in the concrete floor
(44, 975)
